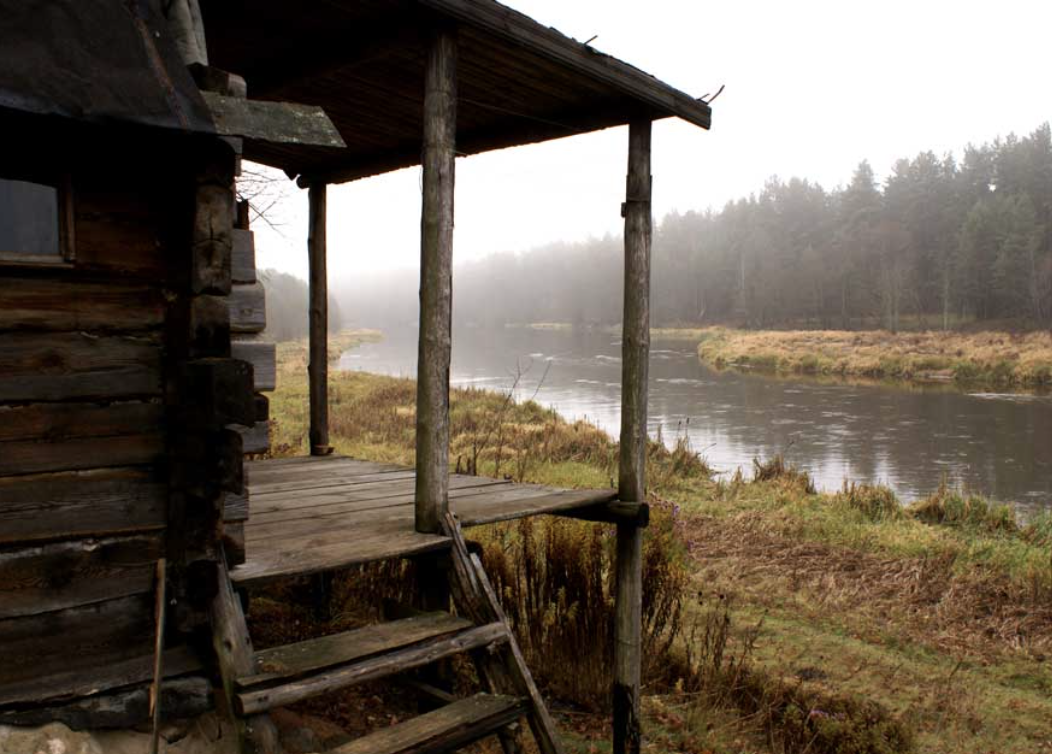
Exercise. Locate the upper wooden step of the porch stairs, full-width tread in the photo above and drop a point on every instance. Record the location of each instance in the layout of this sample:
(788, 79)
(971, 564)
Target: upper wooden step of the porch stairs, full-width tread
(295, 673)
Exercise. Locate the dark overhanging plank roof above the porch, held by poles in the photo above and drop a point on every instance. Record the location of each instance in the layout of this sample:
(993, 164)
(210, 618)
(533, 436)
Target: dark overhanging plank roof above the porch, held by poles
(519, 83)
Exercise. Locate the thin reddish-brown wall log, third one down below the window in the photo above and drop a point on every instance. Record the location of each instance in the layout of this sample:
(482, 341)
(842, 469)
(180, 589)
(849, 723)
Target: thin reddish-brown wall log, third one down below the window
(55, 422)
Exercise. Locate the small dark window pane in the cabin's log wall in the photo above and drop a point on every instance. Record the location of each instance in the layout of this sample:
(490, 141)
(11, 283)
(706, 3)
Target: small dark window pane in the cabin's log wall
(29, 220)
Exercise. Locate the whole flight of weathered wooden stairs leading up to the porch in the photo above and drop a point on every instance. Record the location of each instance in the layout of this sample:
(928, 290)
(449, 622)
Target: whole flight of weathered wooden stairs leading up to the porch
(255, 683)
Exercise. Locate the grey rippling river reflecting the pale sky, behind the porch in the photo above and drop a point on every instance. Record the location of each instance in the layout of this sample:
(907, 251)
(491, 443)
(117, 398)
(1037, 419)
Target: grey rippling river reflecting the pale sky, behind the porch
(997, 444)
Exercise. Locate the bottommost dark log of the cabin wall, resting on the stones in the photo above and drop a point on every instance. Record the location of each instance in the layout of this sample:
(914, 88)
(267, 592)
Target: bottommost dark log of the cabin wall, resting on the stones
(181, 699)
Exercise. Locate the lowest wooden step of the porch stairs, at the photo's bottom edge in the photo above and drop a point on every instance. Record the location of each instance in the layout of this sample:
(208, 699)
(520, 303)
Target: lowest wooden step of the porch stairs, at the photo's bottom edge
(443, 730)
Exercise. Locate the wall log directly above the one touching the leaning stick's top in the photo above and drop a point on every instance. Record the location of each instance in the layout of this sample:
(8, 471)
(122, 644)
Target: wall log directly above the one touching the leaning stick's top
(80, 504)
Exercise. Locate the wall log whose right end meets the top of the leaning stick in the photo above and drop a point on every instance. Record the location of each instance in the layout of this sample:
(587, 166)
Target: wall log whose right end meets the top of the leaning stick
(46, 578)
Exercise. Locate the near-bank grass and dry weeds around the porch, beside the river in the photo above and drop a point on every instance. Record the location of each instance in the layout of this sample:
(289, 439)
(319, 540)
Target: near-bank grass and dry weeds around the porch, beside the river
(780, 620)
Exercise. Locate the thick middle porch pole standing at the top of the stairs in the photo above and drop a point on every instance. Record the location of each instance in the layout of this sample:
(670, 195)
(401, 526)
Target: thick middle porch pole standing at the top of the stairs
(436, 283)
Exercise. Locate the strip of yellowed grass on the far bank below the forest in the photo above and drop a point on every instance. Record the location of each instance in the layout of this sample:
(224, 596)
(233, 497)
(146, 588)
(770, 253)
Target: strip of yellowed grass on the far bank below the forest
(998, 359)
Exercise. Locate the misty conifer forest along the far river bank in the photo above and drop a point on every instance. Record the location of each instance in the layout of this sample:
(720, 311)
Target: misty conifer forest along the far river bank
(939, 242)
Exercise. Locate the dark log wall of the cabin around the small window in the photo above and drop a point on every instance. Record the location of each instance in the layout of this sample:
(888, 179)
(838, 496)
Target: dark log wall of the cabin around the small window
(89, 354)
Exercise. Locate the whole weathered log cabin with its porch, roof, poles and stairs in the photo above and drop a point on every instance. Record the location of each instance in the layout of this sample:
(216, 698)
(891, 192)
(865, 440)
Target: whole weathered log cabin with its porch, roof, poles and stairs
(134, 358)
